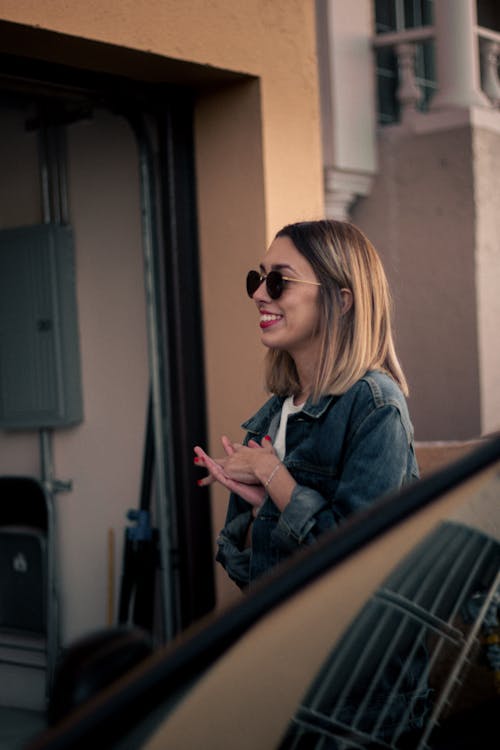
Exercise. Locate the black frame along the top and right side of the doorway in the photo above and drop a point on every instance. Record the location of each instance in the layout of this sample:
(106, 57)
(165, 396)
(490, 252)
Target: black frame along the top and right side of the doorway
(163, 113)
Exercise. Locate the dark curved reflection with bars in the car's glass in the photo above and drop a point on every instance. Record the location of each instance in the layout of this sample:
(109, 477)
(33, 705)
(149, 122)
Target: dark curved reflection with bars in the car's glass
(420, 655)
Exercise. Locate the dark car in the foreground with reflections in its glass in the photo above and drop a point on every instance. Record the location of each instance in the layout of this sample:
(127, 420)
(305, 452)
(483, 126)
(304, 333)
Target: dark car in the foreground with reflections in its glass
(385, 634)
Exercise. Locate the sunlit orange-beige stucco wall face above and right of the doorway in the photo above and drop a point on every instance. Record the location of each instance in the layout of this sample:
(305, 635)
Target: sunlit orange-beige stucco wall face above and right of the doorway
(272, 40)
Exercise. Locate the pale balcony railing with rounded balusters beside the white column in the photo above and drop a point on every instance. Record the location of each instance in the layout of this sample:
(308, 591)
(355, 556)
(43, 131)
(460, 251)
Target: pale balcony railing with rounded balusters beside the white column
(409, 91)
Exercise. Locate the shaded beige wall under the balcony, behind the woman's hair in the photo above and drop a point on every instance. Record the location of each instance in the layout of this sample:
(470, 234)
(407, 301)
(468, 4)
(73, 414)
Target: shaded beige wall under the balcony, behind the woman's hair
(421, 215)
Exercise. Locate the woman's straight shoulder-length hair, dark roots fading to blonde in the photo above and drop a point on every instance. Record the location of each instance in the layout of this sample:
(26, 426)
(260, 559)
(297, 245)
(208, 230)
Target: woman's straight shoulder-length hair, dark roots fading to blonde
(353, 342)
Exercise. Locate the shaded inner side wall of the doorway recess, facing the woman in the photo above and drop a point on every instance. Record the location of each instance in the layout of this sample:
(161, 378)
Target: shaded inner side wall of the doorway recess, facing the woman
(233, 235)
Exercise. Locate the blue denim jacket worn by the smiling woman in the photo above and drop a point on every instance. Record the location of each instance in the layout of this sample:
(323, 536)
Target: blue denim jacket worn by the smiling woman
(343, 452)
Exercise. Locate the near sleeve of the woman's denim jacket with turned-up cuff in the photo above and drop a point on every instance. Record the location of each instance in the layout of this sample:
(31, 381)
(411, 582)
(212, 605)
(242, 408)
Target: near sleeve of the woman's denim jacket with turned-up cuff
(375, 463)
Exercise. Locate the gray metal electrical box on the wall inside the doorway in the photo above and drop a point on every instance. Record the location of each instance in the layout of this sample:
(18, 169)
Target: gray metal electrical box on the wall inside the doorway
(40, 381)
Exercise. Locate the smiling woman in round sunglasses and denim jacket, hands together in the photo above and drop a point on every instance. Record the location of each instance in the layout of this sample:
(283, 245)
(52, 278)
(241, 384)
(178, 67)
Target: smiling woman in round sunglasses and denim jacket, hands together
(336, 433)
